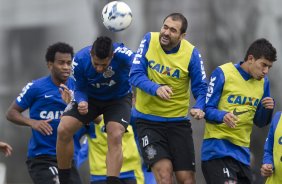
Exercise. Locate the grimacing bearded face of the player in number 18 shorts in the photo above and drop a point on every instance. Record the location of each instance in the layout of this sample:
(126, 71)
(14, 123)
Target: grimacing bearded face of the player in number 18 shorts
(170, 34)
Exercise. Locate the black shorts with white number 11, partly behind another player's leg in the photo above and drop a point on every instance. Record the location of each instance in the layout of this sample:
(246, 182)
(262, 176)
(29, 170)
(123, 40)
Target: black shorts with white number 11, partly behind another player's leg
(44, 170)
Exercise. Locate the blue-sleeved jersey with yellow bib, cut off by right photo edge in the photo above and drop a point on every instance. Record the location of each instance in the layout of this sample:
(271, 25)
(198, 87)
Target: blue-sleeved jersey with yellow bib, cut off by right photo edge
(273, 149)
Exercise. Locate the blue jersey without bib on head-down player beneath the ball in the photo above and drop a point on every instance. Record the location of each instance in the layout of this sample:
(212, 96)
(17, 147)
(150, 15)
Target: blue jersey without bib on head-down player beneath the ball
(109, 85)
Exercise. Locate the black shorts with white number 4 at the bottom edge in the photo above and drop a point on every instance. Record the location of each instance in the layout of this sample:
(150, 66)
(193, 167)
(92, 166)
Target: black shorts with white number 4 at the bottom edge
(226, 170)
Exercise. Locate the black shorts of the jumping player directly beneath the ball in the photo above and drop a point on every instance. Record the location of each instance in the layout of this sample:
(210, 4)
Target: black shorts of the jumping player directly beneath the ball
(113, 110)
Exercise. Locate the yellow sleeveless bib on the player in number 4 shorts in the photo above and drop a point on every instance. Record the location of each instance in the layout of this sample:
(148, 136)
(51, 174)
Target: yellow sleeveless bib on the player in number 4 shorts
(242, 98)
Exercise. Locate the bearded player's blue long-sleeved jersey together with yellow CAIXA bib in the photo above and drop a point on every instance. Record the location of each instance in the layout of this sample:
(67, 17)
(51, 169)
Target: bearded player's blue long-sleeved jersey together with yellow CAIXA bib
(153, 67)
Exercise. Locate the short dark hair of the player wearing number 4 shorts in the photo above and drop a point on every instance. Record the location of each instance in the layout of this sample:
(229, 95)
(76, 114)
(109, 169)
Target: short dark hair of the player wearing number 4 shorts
(261, 48)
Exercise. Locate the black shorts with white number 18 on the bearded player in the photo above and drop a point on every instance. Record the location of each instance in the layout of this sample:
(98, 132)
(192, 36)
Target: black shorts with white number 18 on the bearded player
(173, 140)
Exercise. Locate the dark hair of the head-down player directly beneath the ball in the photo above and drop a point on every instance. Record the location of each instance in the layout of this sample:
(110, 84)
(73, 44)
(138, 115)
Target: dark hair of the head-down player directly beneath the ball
(102, 47)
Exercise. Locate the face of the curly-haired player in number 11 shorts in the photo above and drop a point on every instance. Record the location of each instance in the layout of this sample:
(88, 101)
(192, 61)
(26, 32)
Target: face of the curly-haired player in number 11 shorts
(61, 67)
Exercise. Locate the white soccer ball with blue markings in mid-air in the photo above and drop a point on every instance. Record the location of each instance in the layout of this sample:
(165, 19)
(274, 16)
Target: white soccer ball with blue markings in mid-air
(116, 16)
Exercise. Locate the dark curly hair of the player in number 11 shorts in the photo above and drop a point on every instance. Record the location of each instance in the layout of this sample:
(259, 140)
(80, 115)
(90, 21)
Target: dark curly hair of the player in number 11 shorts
(58, 47)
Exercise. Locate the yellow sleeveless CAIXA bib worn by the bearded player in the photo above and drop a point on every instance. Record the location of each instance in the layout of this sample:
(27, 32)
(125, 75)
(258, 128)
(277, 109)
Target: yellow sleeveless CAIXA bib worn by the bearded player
(171, 70)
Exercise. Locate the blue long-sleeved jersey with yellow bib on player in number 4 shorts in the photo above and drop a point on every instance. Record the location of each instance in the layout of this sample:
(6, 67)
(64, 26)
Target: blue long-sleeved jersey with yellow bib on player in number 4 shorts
(231, 89)
